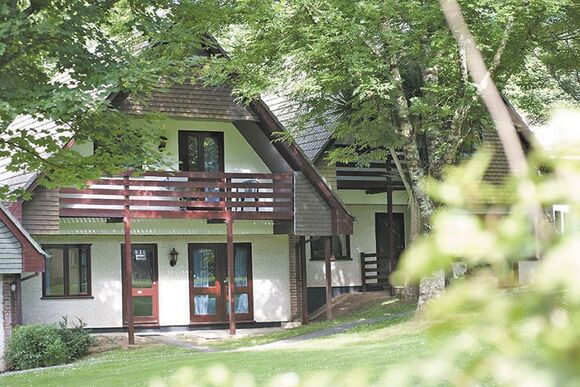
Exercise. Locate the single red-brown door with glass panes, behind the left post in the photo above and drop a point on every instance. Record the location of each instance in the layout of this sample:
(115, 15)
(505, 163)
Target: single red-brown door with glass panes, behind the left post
(145, 283)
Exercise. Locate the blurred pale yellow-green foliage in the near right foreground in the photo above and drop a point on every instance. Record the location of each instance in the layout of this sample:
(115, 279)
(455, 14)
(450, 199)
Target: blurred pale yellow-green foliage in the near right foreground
(518, 336)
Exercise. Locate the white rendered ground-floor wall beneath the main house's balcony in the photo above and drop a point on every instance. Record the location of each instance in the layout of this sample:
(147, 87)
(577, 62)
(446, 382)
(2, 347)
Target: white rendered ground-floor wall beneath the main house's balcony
(270, 273)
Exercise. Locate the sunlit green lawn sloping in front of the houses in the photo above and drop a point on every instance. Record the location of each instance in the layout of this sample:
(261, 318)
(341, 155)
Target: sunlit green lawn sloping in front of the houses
(372, 348)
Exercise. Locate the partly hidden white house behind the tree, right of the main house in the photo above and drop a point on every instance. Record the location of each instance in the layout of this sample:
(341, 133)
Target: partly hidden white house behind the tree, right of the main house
(377, 198)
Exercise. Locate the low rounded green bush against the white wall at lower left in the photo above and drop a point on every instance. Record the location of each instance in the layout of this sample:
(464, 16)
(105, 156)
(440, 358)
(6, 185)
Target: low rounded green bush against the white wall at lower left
(33, 346)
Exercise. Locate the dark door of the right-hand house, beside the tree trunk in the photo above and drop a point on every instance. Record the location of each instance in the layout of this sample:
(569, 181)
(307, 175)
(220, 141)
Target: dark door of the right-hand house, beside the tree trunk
(385, 264)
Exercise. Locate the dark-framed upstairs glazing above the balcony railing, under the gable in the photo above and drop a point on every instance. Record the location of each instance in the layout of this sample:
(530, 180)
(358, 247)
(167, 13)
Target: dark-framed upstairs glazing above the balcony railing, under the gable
(201, 151)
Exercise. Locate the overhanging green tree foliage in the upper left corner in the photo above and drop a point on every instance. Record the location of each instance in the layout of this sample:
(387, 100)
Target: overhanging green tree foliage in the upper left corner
(60, 60)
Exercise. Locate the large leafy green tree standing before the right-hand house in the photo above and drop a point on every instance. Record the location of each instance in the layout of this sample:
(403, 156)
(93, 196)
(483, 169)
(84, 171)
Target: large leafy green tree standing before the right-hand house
(383, 74)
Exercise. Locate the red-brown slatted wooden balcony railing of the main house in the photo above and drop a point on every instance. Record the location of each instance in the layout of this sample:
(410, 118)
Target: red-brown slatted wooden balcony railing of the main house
(183, 195)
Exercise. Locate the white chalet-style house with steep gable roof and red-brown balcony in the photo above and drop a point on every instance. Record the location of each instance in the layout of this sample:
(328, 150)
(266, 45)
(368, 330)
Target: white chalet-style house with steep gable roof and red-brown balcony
(158, 250)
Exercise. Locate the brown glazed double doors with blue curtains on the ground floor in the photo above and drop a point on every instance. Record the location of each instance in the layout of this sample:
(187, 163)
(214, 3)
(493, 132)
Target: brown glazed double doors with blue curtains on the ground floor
(208, 282)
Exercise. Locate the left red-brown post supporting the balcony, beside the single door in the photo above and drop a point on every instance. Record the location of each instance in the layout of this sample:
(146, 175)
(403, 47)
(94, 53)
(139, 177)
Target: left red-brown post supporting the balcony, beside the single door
(128, 266)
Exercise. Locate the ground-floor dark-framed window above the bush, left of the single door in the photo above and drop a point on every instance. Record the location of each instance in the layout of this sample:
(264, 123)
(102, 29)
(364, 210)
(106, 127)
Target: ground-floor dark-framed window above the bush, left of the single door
(67, 271)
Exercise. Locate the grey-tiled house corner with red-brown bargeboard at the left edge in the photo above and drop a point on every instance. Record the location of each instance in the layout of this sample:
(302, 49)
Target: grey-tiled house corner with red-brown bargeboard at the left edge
(19, 253)
